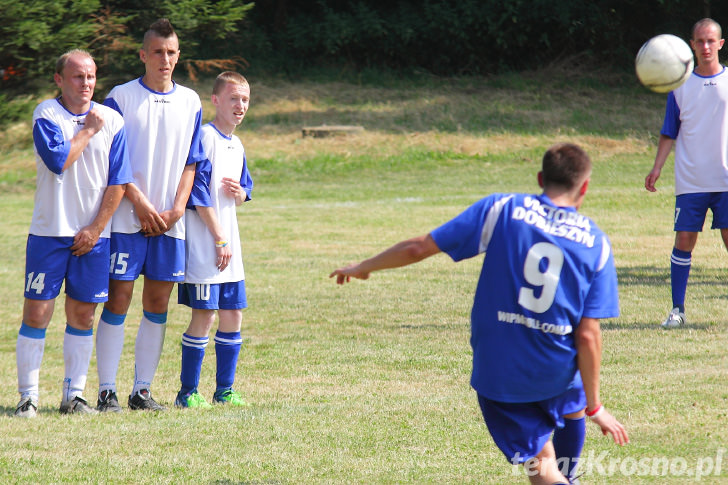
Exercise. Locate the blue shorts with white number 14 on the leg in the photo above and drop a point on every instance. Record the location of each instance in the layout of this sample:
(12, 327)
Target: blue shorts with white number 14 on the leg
(48, 262)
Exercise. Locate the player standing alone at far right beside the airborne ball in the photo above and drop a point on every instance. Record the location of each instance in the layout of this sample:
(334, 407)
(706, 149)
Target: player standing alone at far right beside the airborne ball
(696, 123)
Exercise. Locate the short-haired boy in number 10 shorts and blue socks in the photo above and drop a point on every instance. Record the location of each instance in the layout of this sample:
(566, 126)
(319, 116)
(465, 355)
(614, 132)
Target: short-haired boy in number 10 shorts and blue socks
(215, 279)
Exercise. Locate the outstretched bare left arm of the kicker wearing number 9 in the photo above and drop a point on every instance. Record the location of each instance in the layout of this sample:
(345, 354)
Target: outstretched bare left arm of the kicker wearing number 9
(401, 254)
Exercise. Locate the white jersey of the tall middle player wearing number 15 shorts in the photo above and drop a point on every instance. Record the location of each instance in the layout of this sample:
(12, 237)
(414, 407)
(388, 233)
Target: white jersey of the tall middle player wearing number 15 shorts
(163, 136)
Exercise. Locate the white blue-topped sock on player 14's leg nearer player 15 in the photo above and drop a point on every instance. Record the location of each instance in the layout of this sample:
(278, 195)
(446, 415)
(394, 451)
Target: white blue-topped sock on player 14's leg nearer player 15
(78, 345)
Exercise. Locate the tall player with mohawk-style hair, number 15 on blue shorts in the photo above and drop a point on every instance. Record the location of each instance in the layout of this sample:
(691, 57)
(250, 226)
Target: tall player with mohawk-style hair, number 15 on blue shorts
(163, 121)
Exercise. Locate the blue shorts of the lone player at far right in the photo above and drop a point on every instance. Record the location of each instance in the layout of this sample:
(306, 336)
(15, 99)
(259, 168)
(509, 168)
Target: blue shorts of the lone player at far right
(690, 211)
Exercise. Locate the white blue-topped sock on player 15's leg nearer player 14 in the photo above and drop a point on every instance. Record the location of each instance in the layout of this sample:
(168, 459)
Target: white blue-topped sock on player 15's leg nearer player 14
(109, 345)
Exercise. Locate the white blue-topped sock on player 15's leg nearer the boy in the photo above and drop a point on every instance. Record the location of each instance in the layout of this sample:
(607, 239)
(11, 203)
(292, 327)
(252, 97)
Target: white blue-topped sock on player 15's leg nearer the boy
(148, 349)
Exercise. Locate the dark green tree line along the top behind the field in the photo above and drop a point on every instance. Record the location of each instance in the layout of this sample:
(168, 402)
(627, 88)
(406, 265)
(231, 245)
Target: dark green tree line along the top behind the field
(288, 37)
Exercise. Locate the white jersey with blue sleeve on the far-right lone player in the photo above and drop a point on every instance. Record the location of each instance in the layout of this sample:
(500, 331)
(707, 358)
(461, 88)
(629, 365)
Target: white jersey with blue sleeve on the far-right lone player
(697, 117)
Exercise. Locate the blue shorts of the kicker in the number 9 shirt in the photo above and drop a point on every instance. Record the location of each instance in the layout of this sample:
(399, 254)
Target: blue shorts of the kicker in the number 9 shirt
(520, 430)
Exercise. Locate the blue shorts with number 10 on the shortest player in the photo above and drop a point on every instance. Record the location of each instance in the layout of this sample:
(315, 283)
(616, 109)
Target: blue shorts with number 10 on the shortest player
(216, 296)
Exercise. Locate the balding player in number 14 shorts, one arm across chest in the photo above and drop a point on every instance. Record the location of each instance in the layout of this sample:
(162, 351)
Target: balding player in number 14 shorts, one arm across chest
(82, 168)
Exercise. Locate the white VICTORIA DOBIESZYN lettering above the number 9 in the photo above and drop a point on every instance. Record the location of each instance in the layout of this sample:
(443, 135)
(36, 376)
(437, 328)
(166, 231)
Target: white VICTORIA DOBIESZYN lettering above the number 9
(555, 221)
